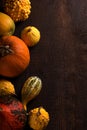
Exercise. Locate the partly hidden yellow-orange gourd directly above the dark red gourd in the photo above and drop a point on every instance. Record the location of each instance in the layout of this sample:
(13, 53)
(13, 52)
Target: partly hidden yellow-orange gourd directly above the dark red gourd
(6, 88)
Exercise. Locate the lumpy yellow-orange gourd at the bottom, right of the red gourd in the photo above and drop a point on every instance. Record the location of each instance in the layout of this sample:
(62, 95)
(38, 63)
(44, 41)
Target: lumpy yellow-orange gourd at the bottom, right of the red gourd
(38, 118)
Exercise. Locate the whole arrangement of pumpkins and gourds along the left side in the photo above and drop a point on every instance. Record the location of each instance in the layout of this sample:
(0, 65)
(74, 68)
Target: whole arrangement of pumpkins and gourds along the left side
(14, 59)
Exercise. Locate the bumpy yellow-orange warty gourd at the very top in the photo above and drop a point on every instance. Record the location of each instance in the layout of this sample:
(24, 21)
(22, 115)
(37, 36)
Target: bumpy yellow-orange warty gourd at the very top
(18, 10)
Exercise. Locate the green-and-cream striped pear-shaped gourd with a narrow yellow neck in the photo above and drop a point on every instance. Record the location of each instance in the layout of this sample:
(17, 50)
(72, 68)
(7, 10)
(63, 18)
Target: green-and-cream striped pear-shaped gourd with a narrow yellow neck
(31, 89)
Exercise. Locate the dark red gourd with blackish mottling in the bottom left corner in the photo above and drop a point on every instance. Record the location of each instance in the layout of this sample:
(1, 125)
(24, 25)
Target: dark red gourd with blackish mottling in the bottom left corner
(12, 114)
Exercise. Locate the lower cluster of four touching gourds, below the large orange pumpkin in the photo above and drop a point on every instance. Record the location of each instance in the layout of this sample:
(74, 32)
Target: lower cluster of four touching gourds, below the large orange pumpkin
(13, 113)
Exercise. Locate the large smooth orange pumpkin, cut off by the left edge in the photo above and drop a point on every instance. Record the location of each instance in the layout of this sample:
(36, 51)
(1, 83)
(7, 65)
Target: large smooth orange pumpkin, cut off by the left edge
(14, 56)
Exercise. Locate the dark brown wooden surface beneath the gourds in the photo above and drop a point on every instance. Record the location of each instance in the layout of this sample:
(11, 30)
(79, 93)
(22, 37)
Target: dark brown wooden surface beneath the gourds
(60, 60)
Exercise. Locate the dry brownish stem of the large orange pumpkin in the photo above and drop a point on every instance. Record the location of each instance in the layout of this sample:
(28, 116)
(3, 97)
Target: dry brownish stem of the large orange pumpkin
(5, 50)
